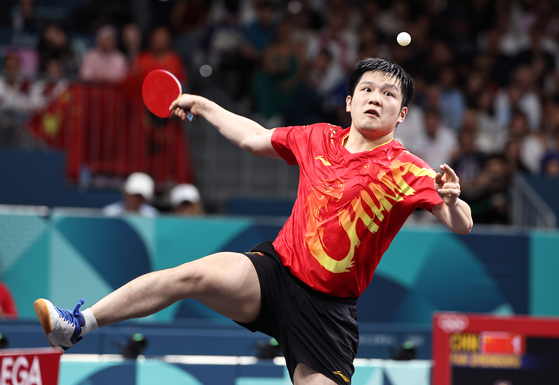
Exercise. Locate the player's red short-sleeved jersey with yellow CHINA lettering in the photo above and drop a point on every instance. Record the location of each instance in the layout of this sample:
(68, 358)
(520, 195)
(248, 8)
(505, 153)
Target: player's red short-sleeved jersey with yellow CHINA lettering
(349, 207)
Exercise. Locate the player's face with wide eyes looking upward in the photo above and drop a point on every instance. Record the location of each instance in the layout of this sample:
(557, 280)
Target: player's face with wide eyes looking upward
(375, 105)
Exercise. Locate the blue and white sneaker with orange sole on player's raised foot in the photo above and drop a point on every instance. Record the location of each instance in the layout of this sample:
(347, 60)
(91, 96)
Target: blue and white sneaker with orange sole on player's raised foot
(62, 327)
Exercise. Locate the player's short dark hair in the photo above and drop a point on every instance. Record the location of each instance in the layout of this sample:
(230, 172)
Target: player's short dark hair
(389, 68)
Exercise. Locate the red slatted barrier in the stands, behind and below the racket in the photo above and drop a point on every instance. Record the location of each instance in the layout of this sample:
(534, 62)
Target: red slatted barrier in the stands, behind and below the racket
(107, 128)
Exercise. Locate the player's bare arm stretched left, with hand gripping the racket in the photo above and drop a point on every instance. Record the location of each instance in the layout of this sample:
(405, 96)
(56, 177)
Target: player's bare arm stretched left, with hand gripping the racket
(243, 132)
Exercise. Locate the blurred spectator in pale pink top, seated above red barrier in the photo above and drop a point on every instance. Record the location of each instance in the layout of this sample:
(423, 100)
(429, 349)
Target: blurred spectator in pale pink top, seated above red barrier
(104, 63)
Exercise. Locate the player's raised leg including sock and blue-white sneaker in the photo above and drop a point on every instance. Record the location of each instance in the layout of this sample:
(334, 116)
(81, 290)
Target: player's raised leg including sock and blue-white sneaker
(225, 282)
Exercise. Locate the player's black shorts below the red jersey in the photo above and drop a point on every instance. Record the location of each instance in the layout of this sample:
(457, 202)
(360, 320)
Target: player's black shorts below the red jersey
(312, 328)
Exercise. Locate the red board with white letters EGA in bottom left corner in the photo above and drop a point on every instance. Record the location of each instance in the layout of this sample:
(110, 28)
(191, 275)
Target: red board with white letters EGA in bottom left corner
(29, 366)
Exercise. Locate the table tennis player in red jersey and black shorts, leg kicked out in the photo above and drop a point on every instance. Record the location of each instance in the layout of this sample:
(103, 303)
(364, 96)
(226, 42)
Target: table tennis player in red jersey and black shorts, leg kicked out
(357, 187)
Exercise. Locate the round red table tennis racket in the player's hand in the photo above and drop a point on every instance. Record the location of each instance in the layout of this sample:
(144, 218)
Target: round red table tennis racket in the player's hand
(160, 89)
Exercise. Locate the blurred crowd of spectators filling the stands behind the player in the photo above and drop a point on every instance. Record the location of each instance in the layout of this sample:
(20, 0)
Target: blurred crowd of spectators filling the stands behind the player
(486, 71)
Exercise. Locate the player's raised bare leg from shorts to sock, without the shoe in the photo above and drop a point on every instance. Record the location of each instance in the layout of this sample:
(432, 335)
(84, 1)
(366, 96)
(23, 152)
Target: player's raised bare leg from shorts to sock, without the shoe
(225, 282)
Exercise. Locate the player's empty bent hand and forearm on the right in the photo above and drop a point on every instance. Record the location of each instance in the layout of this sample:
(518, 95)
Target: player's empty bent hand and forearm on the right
(453, 212)
